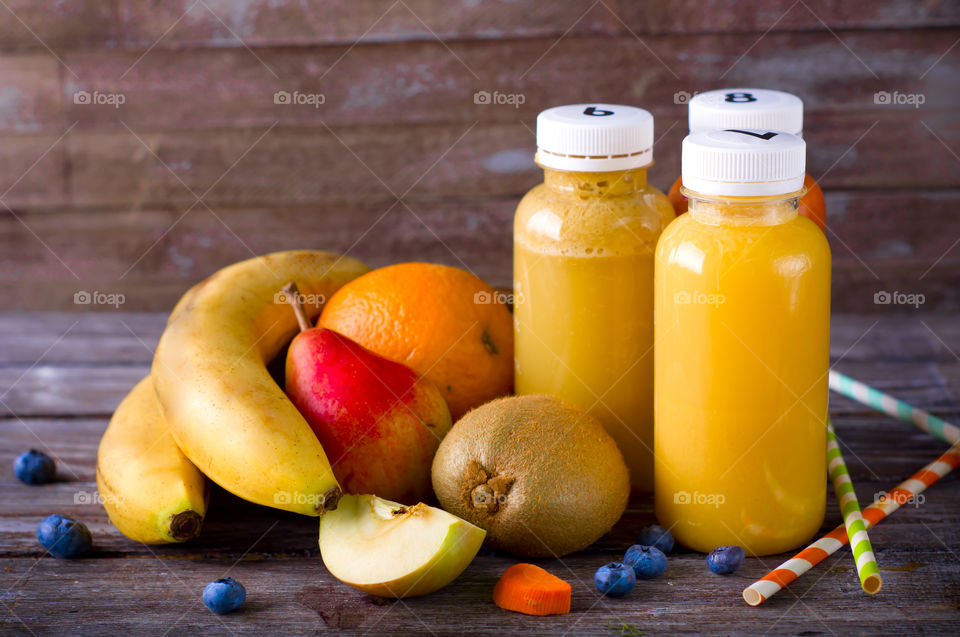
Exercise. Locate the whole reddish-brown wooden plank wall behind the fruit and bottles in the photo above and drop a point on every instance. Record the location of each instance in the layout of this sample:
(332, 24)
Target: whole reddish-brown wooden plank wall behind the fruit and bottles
(199, 167)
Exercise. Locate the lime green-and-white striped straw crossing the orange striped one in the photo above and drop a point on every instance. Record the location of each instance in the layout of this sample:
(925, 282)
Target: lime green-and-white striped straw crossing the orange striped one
(863, 555)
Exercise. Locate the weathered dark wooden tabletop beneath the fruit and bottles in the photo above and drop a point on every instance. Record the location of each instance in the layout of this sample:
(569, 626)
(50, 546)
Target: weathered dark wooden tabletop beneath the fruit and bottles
(61, 375)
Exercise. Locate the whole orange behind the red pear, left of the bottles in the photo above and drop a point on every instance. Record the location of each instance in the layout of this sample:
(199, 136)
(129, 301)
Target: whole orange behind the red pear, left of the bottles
(443, 322)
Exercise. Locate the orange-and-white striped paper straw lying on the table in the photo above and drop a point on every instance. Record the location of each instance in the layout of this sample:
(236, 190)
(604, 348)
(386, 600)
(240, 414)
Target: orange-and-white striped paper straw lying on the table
(883, 506)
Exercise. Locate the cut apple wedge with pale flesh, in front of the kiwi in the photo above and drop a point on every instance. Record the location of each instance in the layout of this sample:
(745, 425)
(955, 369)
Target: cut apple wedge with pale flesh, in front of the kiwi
(391, 550)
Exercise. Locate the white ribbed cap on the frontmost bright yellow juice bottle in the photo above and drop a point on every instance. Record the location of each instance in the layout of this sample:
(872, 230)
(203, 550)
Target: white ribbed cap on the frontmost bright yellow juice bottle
(743, 163)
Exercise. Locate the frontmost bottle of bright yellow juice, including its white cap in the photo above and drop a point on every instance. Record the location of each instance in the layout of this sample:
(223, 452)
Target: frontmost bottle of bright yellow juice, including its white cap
(742, 332)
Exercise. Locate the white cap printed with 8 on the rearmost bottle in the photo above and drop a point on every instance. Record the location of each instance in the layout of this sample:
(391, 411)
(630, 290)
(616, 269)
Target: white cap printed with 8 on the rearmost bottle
(746, 108)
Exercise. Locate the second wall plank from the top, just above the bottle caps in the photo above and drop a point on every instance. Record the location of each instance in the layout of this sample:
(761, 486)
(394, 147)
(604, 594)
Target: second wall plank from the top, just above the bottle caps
(430, 82)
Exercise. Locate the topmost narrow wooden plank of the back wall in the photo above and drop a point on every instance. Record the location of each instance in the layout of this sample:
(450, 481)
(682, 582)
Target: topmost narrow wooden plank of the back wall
(258, 23)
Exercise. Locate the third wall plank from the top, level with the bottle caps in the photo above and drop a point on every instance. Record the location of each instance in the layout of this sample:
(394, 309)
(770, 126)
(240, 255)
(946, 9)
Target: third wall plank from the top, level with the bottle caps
(296, 166)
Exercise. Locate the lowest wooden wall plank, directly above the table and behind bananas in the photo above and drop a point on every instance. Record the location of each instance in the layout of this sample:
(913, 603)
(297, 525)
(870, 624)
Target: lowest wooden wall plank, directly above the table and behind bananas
(895, 241)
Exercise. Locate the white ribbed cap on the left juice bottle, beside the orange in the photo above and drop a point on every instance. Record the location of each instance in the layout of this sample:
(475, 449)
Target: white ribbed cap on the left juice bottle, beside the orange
(594, 137)
